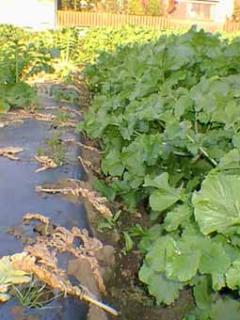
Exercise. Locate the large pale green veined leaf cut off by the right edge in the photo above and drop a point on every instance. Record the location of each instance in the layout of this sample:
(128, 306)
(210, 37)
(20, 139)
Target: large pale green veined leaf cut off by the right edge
(217, 204)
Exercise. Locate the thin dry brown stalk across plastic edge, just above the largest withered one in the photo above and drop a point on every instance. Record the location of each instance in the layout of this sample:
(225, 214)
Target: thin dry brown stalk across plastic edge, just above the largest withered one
(99, 203)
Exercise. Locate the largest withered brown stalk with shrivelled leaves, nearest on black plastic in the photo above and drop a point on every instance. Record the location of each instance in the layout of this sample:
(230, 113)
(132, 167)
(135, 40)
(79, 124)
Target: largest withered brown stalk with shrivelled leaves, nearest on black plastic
(40, 259)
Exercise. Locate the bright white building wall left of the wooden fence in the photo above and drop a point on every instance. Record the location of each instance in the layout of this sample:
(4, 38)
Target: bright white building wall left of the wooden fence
(36, 14)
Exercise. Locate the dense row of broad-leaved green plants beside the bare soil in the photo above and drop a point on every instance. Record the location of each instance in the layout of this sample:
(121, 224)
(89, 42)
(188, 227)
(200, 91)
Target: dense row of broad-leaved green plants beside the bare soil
(167, 116)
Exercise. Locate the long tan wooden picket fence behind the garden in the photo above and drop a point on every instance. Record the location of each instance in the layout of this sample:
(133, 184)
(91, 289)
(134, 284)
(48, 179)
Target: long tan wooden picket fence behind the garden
(92, 19)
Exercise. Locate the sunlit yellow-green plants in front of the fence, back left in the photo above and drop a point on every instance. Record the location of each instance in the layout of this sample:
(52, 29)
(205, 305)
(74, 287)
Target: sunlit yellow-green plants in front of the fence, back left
(25, 54)
